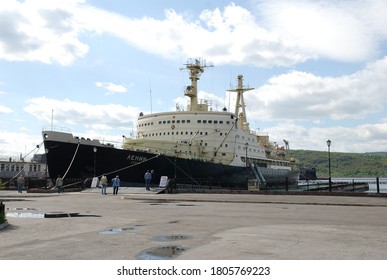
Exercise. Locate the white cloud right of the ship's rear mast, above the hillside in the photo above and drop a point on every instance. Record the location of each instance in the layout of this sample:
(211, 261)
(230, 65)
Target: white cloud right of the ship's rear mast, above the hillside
(300, 95)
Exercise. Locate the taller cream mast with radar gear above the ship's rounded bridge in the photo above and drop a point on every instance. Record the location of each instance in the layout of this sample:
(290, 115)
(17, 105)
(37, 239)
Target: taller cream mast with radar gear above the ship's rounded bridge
(195, 68)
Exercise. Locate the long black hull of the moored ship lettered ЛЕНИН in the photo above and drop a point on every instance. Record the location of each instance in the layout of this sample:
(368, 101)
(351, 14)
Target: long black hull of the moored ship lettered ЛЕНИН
(78, 162)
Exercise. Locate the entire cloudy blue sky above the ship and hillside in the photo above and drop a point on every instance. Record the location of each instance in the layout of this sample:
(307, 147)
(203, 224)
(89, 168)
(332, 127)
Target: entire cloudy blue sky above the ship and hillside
(318, 68)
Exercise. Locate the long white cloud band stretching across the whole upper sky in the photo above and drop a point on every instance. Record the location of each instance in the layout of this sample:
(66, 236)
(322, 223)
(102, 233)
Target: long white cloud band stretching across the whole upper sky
(282, 33)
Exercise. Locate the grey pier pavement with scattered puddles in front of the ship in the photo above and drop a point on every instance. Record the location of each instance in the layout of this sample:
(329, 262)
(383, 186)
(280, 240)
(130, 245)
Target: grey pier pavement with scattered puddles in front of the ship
(91, 226)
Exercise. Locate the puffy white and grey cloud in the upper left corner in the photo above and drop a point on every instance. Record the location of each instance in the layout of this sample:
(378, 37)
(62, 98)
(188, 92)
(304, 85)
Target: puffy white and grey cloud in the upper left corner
(44, 31)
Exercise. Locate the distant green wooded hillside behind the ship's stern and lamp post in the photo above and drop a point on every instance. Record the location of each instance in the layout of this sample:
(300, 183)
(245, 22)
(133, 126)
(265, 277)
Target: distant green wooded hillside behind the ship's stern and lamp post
(343, 164)
